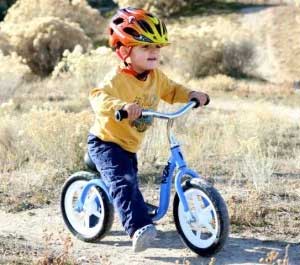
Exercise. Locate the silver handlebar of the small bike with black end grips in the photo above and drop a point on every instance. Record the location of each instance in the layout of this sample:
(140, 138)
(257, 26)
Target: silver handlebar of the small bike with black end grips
(194, 103)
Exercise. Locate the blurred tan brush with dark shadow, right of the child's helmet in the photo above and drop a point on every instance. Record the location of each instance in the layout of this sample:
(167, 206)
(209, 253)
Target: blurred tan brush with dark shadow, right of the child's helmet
(211, 45)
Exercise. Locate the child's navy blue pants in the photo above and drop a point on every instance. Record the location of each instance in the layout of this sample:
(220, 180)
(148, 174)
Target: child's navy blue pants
(118, 169)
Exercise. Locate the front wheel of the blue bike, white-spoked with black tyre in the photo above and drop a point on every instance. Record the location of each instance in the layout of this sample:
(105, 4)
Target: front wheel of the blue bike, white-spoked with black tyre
(209, 231)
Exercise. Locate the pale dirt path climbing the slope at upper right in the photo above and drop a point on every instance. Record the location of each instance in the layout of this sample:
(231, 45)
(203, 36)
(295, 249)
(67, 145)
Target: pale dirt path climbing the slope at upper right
(278, 48)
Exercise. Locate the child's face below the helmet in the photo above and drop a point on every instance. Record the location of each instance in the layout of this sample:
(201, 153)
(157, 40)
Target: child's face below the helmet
(144, 58)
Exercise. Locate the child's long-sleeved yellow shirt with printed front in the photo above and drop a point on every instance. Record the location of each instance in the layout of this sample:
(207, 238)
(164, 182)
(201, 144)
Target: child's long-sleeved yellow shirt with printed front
(124, 88)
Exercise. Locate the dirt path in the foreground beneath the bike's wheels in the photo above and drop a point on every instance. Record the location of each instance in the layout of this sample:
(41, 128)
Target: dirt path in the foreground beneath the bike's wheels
(23, 232)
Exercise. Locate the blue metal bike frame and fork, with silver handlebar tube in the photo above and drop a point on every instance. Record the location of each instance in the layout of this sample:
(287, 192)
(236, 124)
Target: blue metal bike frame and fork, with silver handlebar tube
(176, 161)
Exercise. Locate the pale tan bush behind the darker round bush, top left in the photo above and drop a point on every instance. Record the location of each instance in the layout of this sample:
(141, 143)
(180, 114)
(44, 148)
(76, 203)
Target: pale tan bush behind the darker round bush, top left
(78, 11)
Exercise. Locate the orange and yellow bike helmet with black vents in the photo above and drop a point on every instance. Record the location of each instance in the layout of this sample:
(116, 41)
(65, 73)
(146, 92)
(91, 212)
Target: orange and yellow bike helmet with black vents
(131, 27)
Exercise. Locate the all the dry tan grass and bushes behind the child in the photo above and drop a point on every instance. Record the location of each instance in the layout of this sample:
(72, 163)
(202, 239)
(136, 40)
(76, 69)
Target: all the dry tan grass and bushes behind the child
(248, 139)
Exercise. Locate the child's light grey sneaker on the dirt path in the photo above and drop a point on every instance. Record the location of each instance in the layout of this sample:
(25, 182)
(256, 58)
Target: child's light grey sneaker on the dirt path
(143, 237)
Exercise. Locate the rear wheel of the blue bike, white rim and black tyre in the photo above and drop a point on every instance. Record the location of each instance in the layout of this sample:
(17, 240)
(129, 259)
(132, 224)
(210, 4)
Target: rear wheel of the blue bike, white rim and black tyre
(95, 220)
